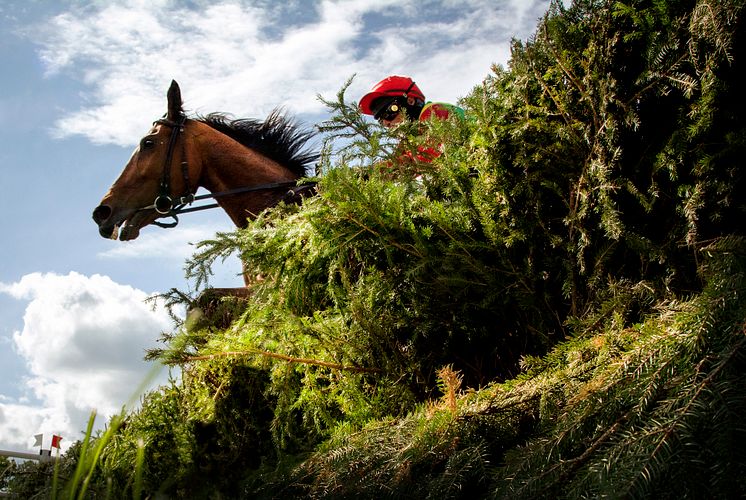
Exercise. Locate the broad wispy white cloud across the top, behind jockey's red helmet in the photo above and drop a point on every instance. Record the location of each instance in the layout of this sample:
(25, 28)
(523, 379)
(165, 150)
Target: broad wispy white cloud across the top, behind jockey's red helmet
(236, 56)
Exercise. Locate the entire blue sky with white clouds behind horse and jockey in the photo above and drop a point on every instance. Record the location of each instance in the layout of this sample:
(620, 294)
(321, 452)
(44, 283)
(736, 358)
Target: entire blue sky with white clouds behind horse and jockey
(81, 83)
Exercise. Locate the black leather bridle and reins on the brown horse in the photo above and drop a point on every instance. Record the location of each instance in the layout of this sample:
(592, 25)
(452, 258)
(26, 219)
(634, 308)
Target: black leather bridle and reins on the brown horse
(167, 206)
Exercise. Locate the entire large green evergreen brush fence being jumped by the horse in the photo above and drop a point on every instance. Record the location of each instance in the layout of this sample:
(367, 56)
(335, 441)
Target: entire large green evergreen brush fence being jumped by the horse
(550, 307)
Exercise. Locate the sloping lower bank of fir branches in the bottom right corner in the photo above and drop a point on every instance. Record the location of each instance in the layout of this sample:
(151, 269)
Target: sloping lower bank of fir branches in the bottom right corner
(650, 410)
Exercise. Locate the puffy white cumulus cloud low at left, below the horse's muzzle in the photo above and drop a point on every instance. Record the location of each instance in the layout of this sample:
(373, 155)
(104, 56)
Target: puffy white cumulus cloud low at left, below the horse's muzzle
(83, 342)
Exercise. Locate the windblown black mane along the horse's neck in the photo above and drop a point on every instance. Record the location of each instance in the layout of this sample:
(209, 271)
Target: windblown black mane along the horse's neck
(277, 137)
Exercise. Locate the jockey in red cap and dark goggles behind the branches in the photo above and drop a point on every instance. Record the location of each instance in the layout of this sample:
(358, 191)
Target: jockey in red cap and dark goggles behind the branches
(396, 98)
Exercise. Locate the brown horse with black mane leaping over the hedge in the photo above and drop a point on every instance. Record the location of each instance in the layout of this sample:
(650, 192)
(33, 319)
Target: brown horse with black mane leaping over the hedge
(247, 166)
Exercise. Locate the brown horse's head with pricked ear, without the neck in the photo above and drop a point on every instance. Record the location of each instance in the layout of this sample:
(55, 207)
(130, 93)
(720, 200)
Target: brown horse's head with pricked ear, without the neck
(156, 174)
